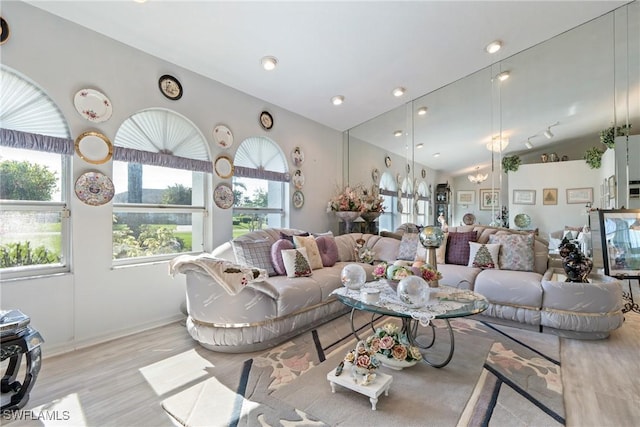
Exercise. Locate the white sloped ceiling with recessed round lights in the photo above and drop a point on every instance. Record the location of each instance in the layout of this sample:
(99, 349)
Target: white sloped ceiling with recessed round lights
(361, 50)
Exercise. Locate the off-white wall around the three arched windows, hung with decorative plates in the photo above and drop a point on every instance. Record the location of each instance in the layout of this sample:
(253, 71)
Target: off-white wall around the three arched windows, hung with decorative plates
(95, 301)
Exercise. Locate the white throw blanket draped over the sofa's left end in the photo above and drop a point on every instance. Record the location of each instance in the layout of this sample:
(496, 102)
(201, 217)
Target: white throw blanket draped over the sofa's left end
(231, 276)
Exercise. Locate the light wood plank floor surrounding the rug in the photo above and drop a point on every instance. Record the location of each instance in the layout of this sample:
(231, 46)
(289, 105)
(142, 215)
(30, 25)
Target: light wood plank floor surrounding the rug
(122, 383)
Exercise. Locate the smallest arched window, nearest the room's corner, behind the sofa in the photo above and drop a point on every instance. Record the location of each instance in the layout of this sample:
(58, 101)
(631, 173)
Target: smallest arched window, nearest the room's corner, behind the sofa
(259, 186)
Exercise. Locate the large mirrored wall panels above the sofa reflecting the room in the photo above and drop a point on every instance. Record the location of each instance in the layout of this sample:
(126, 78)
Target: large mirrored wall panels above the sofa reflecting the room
(572, 86)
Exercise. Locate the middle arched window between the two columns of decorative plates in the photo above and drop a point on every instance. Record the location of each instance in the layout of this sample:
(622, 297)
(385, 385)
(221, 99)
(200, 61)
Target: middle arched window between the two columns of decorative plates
(160, 169)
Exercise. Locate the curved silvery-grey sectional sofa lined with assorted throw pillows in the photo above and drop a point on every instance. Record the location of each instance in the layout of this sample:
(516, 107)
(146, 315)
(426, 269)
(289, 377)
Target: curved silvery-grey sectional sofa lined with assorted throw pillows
(247, 295)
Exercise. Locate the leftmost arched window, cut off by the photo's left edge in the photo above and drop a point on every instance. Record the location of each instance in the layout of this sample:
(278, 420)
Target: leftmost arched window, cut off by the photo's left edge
(35, 146)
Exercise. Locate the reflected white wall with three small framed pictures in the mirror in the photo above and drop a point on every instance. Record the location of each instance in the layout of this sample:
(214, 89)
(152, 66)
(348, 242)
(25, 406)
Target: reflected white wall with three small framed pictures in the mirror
(560, 175)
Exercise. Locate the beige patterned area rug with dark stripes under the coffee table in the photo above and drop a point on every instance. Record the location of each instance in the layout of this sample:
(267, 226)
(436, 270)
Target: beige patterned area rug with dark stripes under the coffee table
(498, 376)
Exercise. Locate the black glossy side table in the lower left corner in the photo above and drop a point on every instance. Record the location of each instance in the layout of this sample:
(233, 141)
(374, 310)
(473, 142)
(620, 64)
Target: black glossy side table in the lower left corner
(18, 338)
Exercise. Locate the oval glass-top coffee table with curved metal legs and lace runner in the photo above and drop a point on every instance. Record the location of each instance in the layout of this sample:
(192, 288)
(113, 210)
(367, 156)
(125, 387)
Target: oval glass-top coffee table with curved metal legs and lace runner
(445, 303)
